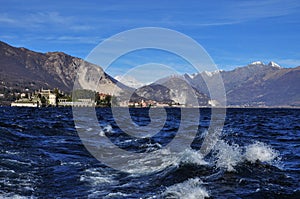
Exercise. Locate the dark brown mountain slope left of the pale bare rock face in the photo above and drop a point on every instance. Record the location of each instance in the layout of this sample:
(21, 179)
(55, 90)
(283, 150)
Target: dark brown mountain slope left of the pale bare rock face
(22, 68)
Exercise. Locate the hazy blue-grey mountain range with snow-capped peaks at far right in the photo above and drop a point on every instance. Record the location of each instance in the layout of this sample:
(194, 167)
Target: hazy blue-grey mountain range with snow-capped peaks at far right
(256, 84)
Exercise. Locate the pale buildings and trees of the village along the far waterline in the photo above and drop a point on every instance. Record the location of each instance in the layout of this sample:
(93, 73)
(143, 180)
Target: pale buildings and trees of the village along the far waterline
(80, 98)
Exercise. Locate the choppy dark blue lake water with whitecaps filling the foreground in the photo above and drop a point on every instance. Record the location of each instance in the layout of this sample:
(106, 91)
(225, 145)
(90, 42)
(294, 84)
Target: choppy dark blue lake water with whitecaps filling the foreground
(257, 156)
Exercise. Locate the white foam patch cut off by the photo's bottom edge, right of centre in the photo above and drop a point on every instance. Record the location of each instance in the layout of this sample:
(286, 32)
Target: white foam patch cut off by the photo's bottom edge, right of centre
(190, 189)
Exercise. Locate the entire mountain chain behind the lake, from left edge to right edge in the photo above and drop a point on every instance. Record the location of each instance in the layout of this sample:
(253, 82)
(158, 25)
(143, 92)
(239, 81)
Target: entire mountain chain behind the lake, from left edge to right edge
(257, 84)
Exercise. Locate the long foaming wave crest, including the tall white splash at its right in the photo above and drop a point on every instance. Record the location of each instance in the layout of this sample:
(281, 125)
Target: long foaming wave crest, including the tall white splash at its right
(225, 155)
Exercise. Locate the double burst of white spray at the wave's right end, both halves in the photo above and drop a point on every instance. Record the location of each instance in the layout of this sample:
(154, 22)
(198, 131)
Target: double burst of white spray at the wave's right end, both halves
(230, 155)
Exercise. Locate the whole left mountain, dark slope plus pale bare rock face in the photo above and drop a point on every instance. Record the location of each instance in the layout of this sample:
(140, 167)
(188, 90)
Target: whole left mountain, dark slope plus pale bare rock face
(25, 70)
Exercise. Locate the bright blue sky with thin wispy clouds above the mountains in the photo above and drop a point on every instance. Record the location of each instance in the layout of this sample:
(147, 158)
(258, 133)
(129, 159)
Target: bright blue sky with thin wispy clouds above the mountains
(233, 32)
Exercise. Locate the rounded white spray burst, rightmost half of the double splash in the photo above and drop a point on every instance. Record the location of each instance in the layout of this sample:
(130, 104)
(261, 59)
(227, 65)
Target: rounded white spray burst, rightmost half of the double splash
(260, 151)
